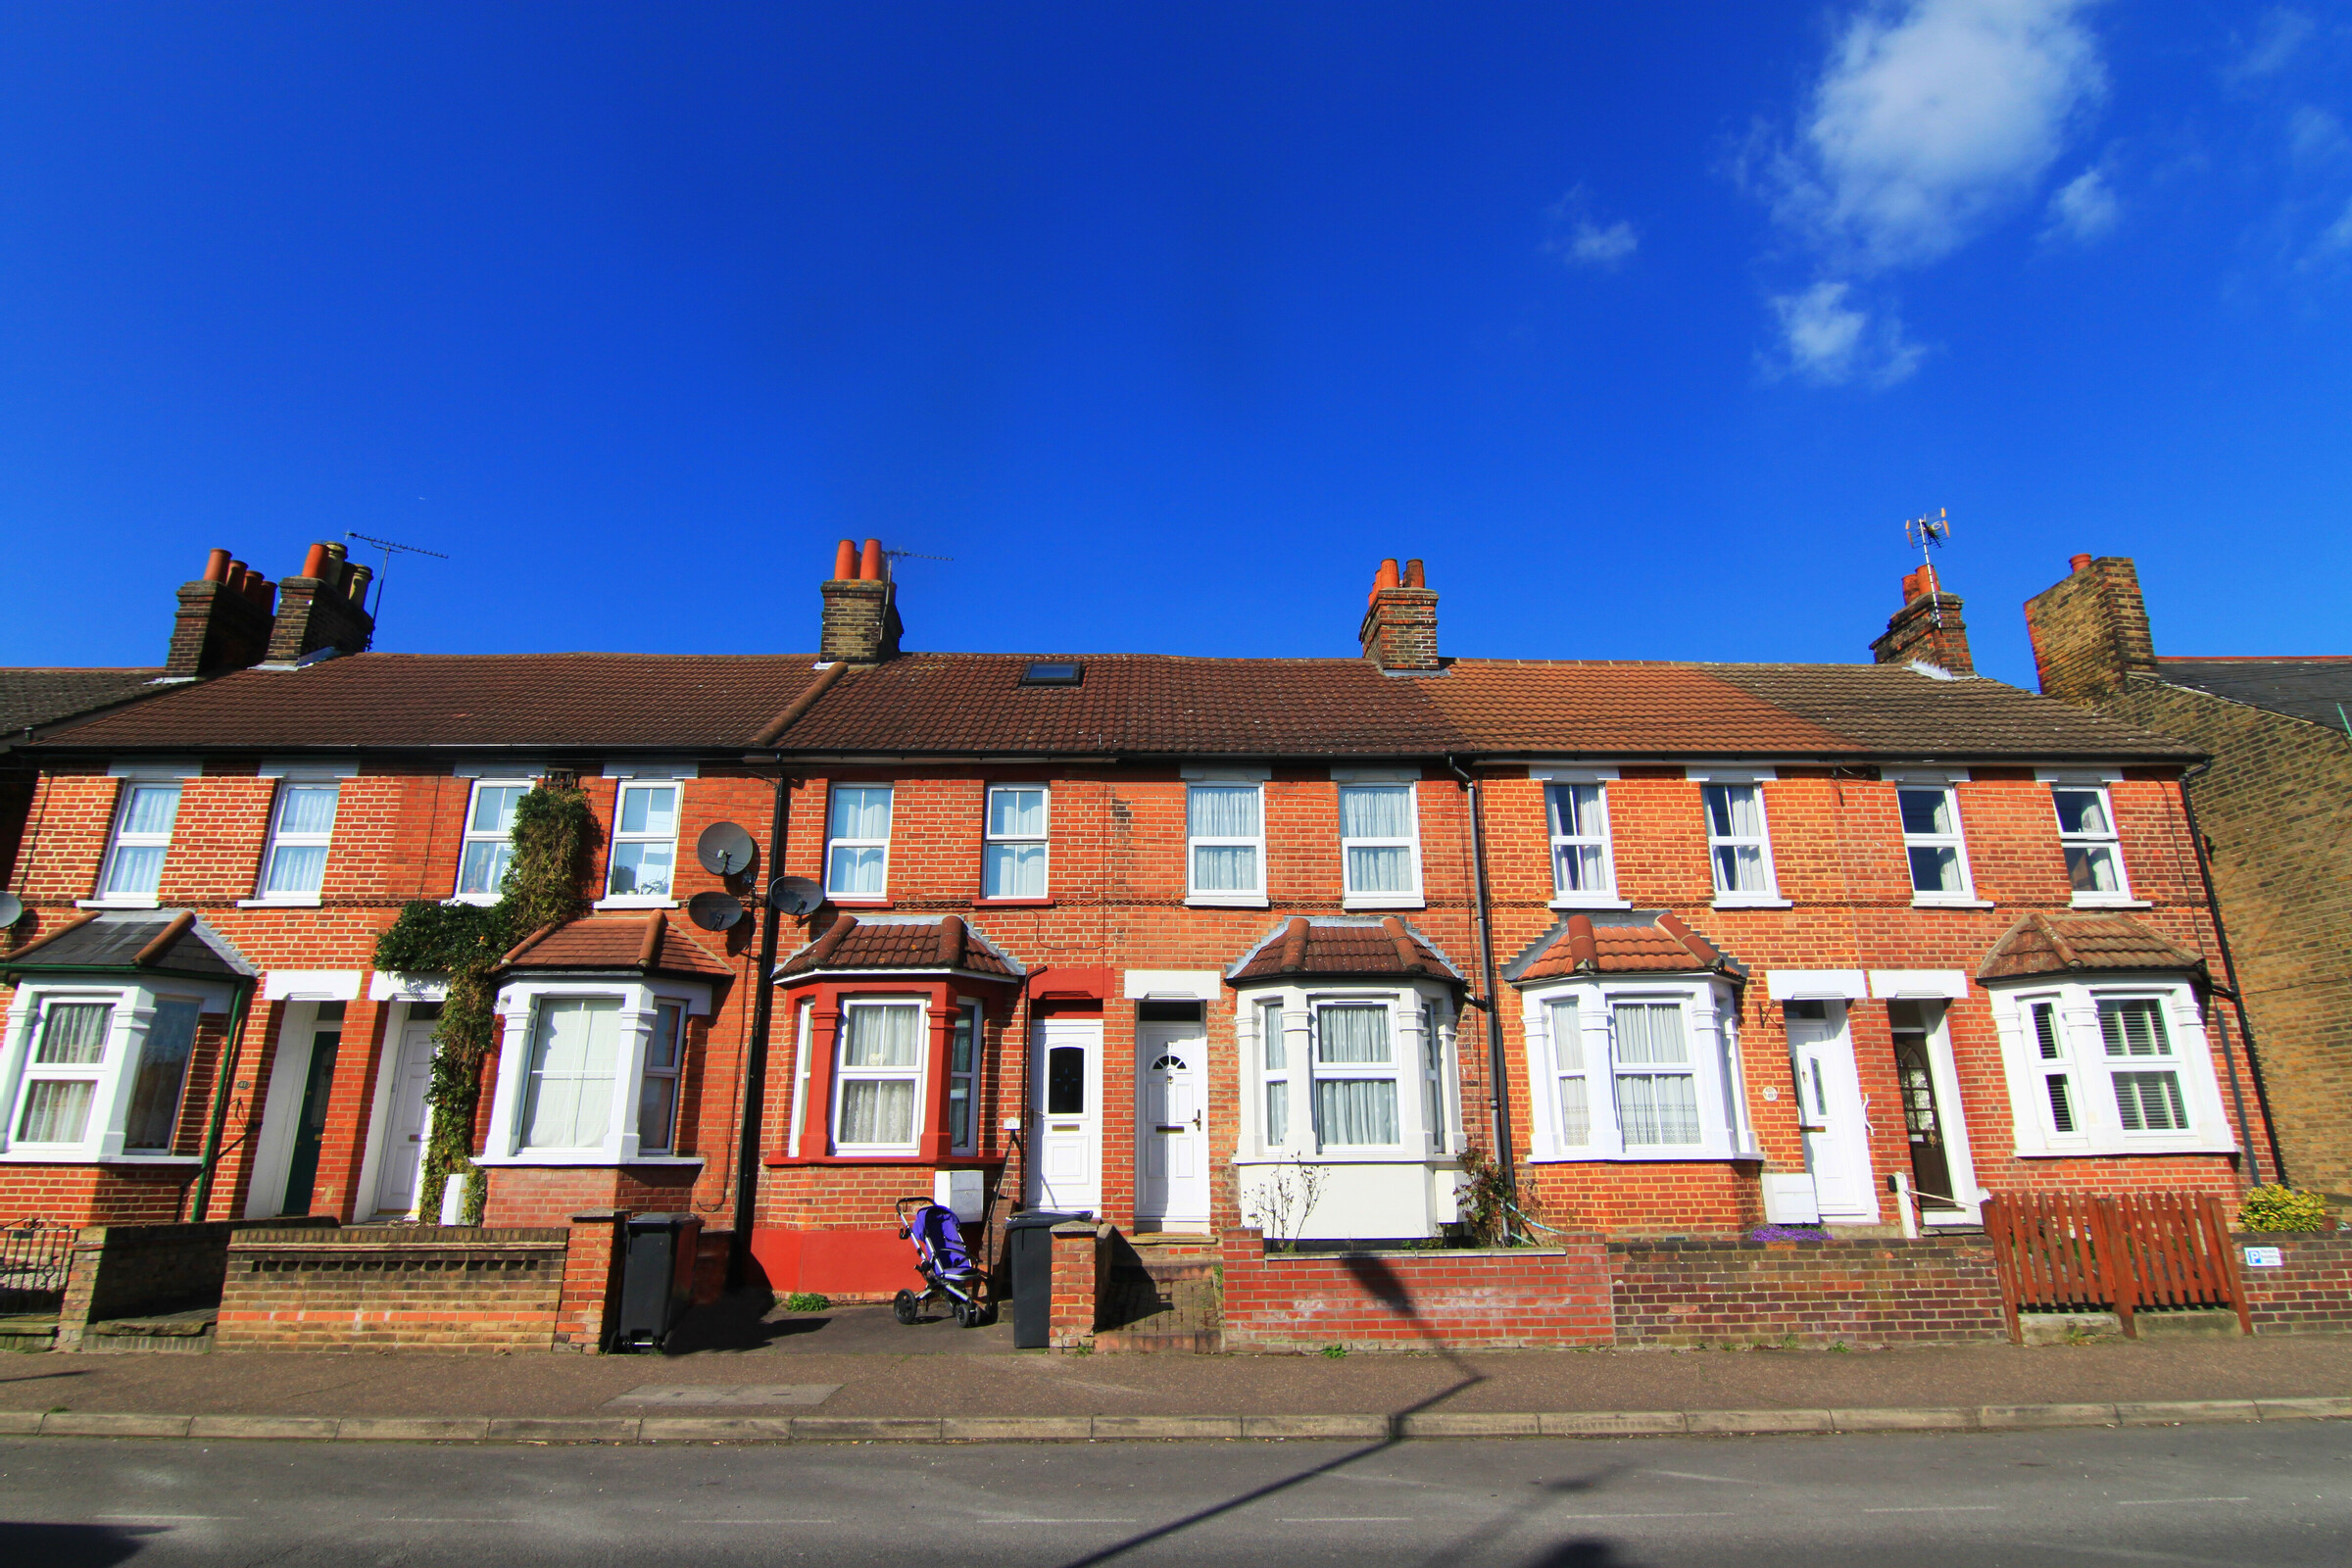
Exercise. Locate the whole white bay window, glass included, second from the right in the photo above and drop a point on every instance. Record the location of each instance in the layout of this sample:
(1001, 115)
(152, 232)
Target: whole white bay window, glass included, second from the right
(1636, 1071)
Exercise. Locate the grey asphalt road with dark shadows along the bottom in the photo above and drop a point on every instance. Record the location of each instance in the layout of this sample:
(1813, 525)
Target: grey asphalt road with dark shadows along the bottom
(2276, 1494)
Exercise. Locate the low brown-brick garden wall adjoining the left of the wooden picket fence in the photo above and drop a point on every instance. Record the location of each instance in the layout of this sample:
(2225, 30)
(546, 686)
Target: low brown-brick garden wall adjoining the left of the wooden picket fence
(1808, 1292)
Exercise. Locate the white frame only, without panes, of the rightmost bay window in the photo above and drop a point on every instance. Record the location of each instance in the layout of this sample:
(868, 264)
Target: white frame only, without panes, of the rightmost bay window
(2087, 1068)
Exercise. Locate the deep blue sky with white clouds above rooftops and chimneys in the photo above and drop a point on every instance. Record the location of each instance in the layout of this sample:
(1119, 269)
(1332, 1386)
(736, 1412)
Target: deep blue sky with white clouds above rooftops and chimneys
(1643, 326)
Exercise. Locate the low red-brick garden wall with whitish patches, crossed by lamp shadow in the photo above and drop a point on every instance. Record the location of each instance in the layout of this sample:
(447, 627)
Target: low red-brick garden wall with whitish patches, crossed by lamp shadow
(1415, 1299)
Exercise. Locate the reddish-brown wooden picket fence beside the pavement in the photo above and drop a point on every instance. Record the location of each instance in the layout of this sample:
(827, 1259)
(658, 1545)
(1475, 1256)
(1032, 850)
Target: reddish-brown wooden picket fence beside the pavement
(2073, 1252)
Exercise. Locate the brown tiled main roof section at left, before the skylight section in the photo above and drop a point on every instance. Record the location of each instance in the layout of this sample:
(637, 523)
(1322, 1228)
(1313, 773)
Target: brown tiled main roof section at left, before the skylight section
(469, 699)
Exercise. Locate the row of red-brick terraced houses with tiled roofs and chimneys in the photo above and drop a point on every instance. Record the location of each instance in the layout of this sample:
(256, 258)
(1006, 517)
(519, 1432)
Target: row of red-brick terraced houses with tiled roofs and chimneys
(1172, 942)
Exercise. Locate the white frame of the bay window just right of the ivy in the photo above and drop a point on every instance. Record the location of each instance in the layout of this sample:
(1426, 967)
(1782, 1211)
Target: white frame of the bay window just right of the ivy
(639, 1003)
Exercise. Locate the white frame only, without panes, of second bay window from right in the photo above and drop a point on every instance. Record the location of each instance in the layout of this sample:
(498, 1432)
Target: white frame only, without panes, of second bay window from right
(1711, 1038)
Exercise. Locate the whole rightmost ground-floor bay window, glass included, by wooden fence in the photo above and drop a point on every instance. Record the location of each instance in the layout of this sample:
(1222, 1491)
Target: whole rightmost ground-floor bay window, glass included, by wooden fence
(2109, 1068)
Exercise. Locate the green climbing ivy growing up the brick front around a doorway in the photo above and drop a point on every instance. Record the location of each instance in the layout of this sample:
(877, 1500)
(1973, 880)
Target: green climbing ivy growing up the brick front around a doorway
(542, 887)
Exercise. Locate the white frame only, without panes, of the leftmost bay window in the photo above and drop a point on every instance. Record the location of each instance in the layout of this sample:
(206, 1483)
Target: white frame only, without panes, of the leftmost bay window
(114, 1076)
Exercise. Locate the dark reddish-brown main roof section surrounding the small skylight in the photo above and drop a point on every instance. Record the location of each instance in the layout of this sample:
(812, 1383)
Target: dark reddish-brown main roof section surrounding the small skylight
(1125, 704)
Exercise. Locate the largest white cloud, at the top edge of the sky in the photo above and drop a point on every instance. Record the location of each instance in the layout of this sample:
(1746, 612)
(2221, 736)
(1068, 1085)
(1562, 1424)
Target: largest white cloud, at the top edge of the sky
(1932, 119)
